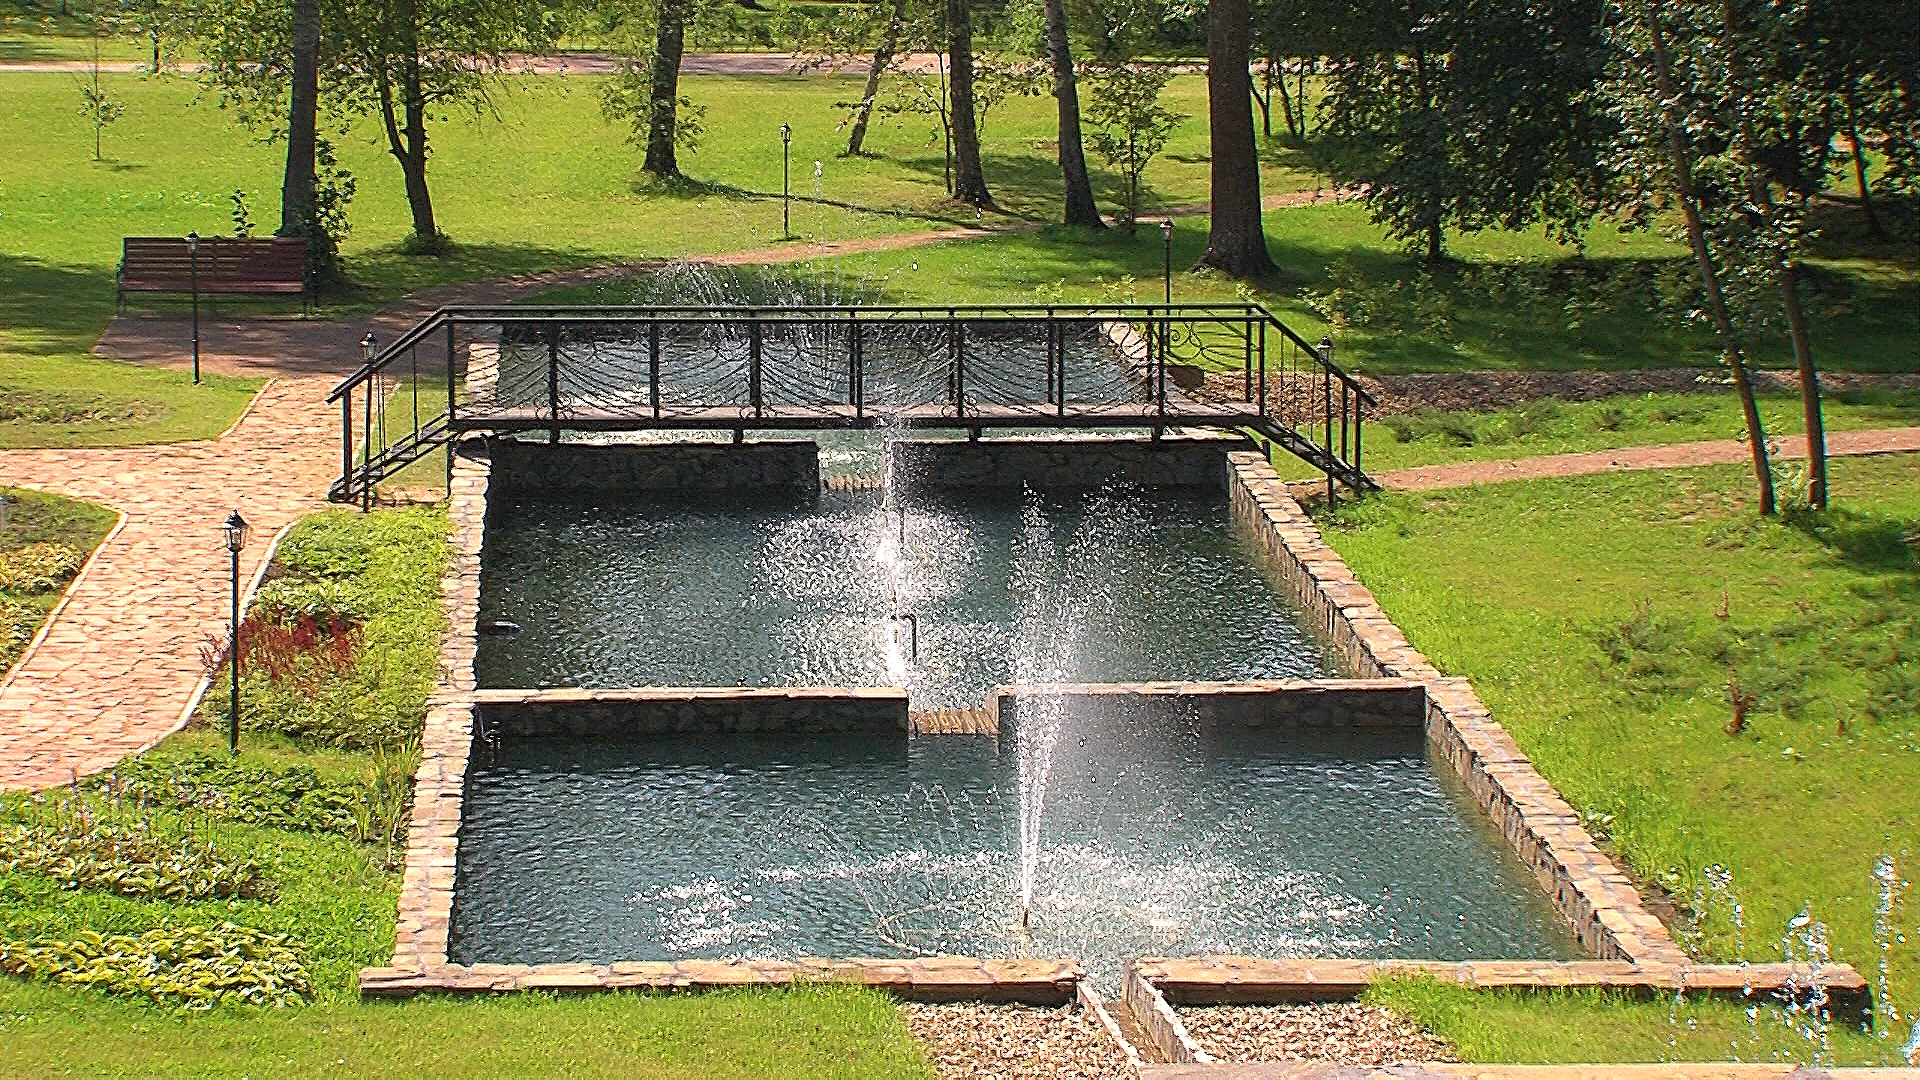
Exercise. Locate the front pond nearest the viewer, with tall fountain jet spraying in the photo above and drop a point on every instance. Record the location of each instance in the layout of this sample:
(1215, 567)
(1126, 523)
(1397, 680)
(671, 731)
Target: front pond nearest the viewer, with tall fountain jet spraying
(1157, 839)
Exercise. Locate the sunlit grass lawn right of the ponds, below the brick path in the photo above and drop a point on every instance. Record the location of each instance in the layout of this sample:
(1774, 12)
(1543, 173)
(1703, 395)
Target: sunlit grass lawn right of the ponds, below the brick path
(1604, 622)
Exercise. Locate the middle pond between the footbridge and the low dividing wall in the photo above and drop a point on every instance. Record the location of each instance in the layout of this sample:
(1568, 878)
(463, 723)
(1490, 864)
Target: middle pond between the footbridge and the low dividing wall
(999, 589)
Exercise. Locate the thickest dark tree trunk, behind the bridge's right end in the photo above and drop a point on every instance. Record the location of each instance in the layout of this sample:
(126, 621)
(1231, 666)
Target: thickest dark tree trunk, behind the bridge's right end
(1237, 243)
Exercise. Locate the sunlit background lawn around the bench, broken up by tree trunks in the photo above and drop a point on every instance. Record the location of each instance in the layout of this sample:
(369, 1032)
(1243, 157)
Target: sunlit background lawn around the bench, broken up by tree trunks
(550, 184)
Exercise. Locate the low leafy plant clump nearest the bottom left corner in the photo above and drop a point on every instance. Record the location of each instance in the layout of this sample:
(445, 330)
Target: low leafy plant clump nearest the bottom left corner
(189, 968)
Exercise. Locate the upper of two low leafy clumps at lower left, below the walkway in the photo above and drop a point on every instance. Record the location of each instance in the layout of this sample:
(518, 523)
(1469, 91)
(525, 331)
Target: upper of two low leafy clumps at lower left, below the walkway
(84, 852)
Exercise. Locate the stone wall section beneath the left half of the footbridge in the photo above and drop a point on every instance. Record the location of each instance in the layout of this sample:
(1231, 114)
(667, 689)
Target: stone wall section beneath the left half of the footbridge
(575, 470)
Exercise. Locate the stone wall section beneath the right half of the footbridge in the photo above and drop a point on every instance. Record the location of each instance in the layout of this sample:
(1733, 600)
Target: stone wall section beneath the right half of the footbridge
(1072, 462)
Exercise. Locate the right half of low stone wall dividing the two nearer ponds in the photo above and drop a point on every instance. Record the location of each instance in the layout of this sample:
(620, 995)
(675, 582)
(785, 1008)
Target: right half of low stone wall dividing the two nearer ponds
(1303, 702)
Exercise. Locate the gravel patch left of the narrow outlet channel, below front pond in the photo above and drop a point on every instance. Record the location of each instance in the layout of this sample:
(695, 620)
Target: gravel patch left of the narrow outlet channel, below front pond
(982, 1043)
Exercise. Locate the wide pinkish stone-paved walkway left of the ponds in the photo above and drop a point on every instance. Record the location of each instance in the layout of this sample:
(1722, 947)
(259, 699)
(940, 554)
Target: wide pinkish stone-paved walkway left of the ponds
(118, 666)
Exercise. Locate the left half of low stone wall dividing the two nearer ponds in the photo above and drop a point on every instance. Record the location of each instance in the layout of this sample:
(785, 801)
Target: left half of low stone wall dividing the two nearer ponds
(683, 710)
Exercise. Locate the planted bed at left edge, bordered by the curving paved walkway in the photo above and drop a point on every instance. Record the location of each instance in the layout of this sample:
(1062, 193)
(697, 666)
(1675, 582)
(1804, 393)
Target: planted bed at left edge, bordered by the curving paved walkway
(43, 543)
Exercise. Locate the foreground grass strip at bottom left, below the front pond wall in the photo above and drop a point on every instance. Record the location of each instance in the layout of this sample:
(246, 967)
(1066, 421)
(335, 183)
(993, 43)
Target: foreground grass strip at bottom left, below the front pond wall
(838, 1033)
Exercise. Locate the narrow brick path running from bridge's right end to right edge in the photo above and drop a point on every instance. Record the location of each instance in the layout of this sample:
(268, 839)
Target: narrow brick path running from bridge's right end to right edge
(1629, 458)
